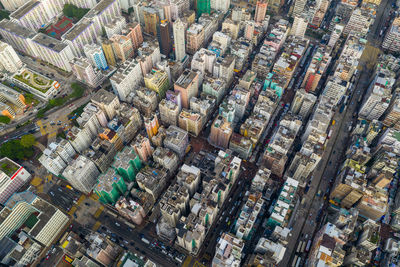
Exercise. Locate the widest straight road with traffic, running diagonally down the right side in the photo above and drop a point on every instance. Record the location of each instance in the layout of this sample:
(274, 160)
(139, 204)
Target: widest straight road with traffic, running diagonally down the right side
(325, 174)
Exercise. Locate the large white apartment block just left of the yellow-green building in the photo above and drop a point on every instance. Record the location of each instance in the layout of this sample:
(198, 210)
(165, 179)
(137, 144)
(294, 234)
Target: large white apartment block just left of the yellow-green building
(126, 79)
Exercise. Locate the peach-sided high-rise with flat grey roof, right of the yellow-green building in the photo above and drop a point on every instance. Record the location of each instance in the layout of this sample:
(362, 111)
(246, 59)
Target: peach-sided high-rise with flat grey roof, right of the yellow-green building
(188, 85)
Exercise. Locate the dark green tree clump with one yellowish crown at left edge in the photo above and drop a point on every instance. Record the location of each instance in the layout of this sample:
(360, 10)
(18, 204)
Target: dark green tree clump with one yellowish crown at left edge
(18, 149)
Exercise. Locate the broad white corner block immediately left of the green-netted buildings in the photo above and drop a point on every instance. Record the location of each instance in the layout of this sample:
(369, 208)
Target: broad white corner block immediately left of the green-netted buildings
(82, 174)
